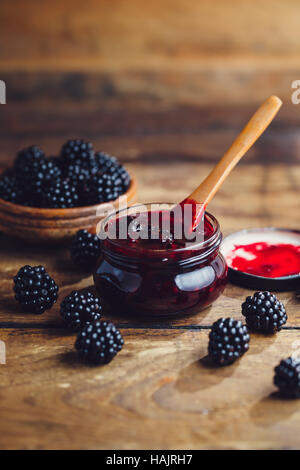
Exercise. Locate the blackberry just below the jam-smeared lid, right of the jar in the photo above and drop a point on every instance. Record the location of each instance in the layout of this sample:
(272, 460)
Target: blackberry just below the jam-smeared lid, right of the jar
(264, 312)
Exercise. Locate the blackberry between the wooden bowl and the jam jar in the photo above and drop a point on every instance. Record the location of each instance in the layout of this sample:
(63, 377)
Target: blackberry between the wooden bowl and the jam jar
(85, 249)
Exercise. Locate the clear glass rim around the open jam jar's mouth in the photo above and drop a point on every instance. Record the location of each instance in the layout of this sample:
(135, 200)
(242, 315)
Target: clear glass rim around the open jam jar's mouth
(135, 248)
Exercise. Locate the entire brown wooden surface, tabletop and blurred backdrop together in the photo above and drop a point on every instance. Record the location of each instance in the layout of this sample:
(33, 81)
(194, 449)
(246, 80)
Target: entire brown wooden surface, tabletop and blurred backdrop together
(166, 86)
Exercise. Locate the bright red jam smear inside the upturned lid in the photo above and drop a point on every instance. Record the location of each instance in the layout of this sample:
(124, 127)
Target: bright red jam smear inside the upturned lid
(268, 260)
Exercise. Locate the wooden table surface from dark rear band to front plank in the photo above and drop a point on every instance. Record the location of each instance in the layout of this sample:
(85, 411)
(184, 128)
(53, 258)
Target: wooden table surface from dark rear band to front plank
(160, 392)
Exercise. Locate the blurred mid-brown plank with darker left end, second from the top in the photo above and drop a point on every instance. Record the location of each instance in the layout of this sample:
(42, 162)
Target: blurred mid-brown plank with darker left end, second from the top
(207, 84)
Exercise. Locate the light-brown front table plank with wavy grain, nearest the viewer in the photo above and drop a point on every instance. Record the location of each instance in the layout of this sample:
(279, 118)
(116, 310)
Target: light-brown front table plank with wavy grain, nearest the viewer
(160, 392)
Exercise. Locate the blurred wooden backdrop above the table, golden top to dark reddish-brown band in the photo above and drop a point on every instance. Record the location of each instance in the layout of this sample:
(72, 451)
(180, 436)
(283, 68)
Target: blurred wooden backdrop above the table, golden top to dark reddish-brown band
(190, 71)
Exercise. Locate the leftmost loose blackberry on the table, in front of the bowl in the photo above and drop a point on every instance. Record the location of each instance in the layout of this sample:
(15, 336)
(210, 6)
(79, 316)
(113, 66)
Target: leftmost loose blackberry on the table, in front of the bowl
(35, 289)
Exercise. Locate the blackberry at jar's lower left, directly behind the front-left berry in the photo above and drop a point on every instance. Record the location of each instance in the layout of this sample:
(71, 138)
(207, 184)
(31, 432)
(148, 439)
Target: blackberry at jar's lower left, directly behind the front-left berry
(79, 309)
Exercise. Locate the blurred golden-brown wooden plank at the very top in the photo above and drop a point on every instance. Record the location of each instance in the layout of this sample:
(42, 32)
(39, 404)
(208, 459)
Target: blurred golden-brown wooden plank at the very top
(64, 33)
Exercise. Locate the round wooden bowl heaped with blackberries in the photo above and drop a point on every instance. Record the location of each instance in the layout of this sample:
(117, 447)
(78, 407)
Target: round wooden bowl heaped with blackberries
(48, 199)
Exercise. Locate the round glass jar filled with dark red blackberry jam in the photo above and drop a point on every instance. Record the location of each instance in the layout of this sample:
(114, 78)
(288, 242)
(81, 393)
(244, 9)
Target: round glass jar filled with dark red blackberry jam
(159, 277)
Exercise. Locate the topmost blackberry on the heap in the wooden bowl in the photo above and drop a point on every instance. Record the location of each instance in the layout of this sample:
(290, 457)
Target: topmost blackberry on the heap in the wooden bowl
(78, 152)
